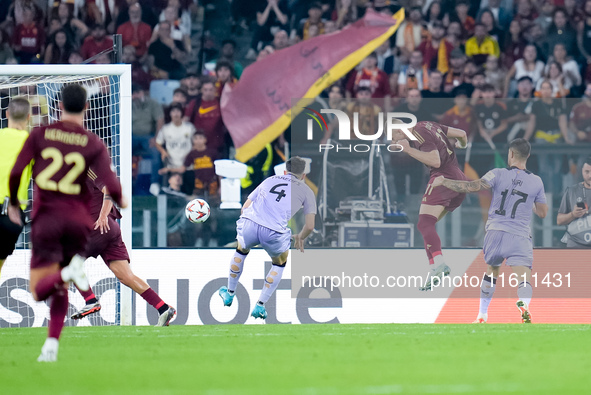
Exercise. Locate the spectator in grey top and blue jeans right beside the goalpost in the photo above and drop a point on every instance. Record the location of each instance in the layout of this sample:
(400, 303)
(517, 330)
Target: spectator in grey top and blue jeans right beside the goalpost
(146, 119)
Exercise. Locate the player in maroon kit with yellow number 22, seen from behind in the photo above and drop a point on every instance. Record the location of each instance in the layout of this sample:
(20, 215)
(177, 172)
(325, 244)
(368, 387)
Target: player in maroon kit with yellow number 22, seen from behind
(62, 153)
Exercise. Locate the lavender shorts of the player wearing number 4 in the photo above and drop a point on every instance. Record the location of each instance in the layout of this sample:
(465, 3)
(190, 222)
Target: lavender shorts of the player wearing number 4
(250, 234)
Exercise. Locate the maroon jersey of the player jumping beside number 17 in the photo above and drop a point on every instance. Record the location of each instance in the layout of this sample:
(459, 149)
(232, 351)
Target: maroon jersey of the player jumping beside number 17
(432, 136)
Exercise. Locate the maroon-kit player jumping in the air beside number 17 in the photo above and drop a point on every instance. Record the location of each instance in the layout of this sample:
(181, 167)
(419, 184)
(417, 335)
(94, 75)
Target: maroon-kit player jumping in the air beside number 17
(434, 149)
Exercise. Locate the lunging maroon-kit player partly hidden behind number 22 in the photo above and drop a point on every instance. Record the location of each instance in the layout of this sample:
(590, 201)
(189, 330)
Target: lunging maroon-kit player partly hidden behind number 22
(105, 240)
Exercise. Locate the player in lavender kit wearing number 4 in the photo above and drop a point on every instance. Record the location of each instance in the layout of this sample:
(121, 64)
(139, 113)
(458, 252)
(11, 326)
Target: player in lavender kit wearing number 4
(264, 219)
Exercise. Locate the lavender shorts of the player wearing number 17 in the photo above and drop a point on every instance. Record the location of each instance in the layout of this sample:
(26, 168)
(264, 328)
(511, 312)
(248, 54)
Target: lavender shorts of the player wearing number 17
(499, 245)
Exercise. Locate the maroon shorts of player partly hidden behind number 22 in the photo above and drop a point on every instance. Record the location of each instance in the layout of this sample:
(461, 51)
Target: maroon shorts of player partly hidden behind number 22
(109, 246)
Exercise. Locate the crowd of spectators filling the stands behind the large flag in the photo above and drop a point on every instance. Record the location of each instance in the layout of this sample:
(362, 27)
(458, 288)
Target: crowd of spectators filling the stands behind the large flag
(499, 69)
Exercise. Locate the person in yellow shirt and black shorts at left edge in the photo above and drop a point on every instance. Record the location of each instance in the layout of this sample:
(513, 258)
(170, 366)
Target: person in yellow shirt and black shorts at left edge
(12, 139)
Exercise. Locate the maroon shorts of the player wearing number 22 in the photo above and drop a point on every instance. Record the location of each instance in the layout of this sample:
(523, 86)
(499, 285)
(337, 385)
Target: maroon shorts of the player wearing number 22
(57, 238)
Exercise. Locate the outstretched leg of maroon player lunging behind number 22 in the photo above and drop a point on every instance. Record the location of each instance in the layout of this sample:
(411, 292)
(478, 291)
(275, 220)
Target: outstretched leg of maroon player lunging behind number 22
(123, 272)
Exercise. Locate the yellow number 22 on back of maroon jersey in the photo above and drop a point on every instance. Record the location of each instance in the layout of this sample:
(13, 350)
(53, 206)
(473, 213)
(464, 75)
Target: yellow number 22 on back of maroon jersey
(66, 184)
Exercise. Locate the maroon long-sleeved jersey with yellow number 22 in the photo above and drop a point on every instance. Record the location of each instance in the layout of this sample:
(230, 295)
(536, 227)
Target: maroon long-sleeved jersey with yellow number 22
(63, 152)
